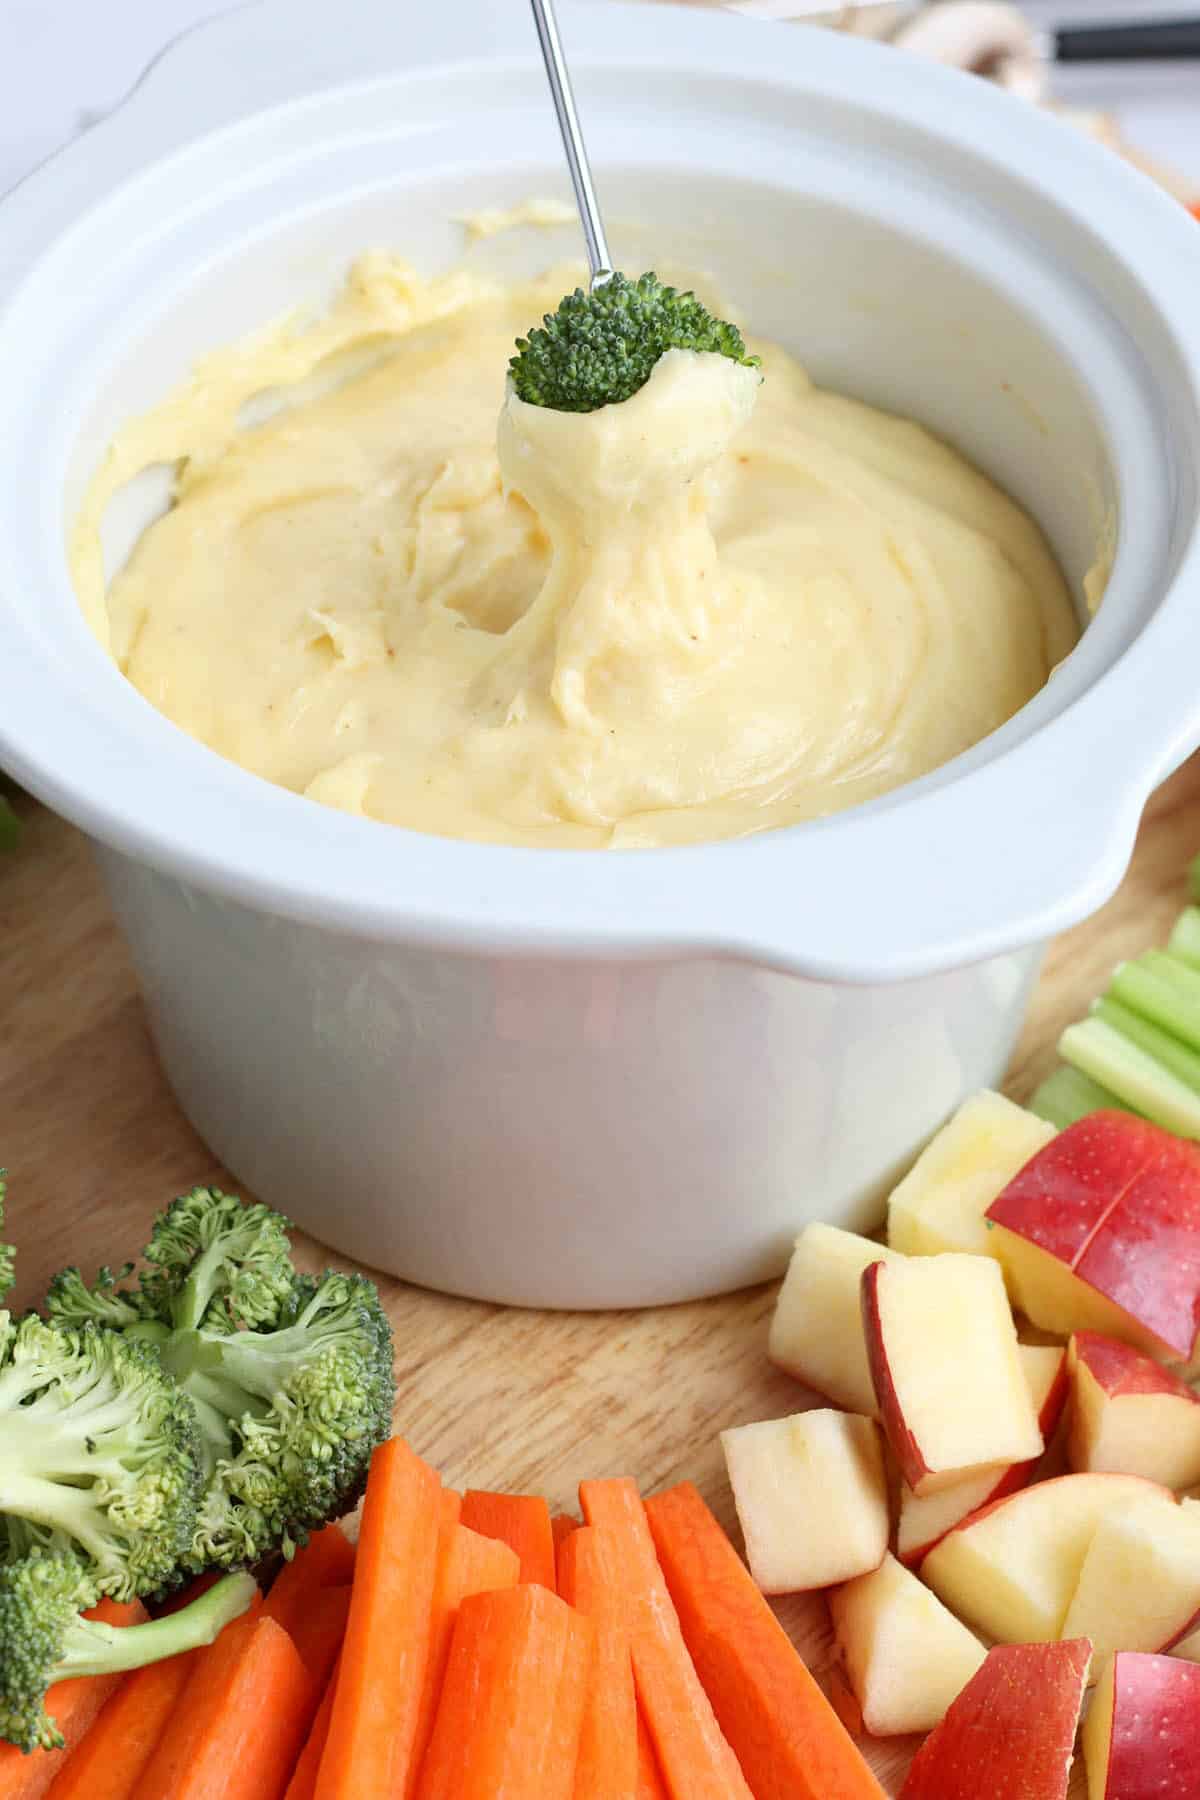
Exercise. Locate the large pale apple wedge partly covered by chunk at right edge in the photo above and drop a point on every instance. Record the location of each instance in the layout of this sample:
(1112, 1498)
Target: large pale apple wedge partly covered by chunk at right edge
(1012, 1570)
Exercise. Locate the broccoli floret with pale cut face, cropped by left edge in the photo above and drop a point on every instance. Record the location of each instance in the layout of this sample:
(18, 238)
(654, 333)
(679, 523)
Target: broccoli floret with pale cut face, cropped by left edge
(100, 1453)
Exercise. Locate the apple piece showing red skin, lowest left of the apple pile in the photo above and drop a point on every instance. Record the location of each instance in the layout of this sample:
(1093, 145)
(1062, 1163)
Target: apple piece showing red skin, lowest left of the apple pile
(1012, 1732)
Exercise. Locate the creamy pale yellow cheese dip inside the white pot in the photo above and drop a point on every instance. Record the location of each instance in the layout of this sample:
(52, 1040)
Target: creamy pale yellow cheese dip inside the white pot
(726, 606)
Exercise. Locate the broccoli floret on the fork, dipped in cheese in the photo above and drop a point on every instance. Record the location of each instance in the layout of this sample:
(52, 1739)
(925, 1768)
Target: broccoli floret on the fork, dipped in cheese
(602, 346)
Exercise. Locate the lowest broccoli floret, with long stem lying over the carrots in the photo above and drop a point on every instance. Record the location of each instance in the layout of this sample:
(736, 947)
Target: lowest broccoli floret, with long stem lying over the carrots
(46, 1641)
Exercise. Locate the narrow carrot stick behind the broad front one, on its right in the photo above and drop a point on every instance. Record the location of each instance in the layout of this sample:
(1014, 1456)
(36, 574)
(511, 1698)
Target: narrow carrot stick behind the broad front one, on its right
(589, 1579)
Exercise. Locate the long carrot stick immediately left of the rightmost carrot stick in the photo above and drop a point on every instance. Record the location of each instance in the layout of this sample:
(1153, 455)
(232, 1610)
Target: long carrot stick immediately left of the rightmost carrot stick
(694, 1756)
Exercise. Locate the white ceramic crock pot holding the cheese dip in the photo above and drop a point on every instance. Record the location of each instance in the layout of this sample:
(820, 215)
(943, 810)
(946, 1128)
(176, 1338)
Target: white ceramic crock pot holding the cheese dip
(577, 1079)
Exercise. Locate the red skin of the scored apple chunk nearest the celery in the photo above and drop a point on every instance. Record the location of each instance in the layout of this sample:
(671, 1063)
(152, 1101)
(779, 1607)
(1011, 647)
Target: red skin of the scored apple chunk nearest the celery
(1118, 1201)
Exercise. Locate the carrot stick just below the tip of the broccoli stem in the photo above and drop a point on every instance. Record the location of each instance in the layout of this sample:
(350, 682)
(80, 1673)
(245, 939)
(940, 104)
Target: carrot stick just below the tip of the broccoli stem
(253, 1736)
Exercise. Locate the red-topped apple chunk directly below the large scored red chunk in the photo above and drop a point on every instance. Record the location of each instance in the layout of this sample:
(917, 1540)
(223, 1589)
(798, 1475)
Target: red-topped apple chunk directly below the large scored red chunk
(1131, 1416)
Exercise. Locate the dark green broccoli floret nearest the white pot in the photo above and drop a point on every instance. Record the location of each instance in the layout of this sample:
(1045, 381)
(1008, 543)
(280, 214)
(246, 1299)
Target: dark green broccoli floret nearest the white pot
(291, 1378)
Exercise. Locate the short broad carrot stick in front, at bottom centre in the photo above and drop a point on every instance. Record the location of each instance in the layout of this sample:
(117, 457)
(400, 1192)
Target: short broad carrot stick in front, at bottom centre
(512, 1705)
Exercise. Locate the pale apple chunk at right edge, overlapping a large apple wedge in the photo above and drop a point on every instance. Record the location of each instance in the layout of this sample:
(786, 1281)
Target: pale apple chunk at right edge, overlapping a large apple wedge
(1140, 1585)
